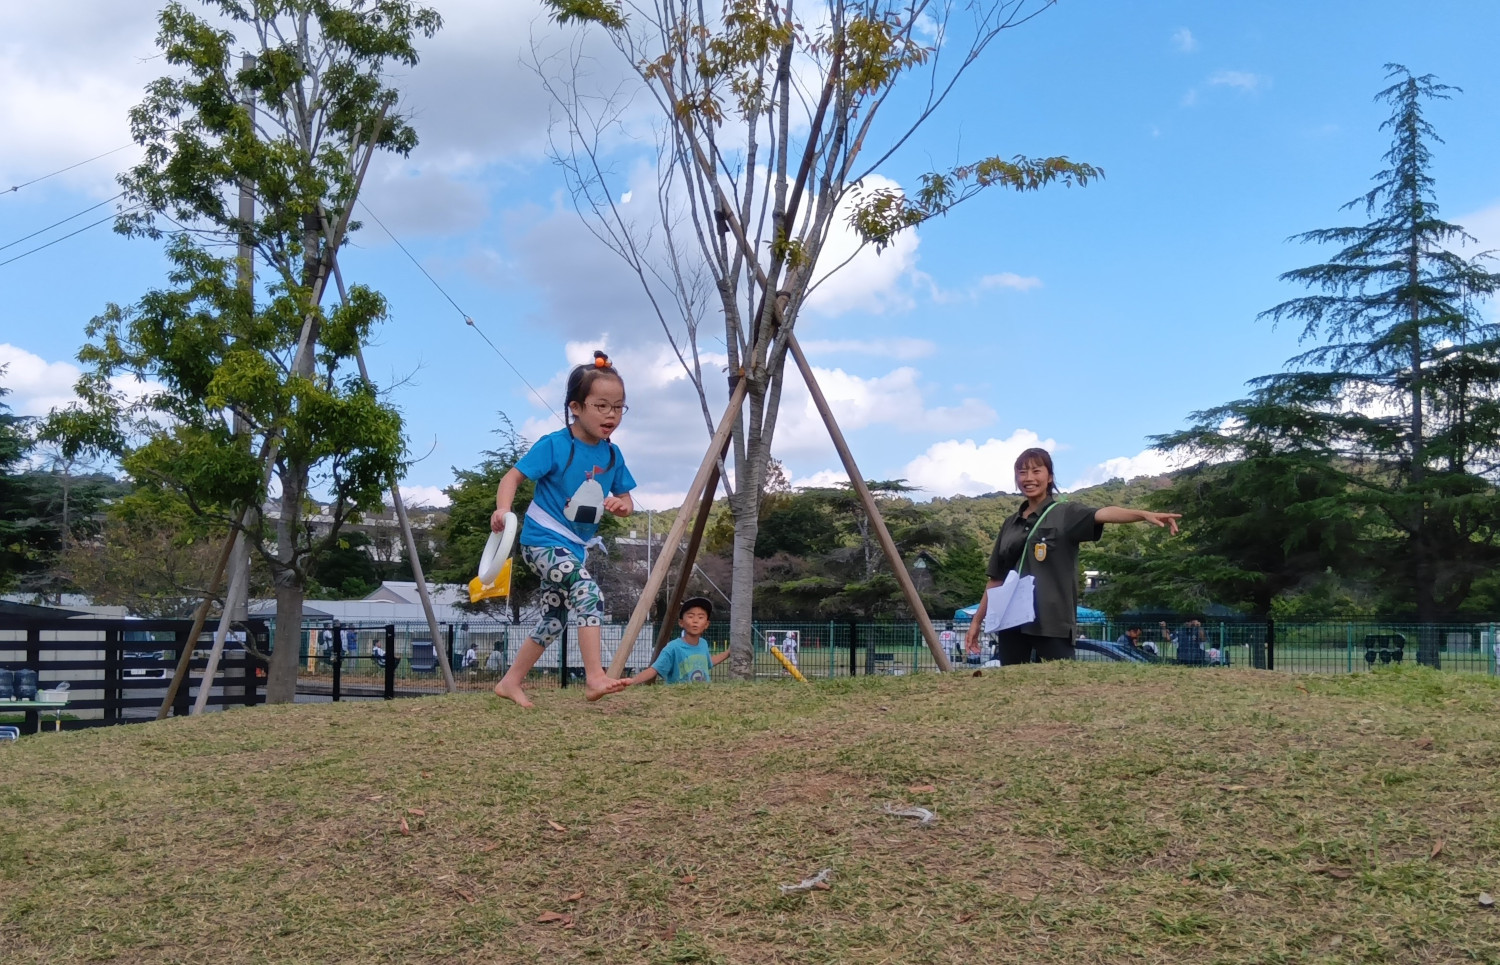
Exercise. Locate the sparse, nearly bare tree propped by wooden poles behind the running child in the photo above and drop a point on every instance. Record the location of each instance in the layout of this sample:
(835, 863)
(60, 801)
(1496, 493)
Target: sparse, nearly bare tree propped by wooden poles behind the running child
(770, 122)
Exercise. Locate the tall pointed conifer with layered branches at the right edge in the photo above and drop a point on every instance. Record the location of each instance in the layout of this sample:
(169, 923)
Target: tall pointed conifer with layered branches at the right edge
(1399, 397)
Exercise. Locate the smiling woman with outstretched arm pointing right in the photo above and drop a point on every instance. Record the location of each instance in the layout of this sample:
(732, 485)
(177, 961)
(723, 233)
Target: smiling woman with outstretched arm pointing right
(1046, 534)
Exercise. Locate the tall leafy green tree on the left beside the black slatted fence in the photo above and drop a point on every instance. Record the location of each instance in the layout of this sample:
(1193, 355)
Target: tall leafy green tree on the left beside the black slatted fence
(247, 385)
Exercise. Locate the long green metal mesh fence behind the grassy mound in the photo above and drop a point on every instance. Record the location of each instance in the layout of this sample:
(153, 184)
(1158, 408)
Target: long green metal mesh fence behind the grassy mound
(481, 652)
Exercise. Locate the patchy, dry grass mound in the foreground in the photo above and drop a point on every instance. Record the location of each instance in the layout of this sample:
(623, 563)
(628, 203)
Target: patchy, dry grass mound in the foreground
(1085, 814)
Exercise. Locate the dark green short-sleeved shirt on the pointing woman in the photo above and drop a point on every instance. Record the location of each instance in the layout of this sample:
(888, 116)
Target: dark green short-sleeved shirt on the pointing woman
(1057, 571)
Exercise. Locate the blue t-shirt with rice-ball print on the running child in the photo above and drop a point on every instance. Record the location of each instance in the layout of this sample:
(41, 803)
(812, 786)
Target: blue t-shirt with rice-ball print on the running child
(557, 479)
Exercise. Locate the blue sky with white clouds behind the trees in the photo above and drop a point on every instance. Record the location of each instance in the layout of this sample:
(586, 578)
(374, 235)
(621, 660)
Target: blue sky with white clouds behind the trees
(1087, 319)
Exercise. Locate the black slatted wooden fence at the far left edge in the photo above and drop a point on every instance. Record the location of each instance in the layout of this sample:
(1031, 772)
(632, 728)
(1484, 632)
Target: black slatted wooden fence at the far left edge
(118, 672)
